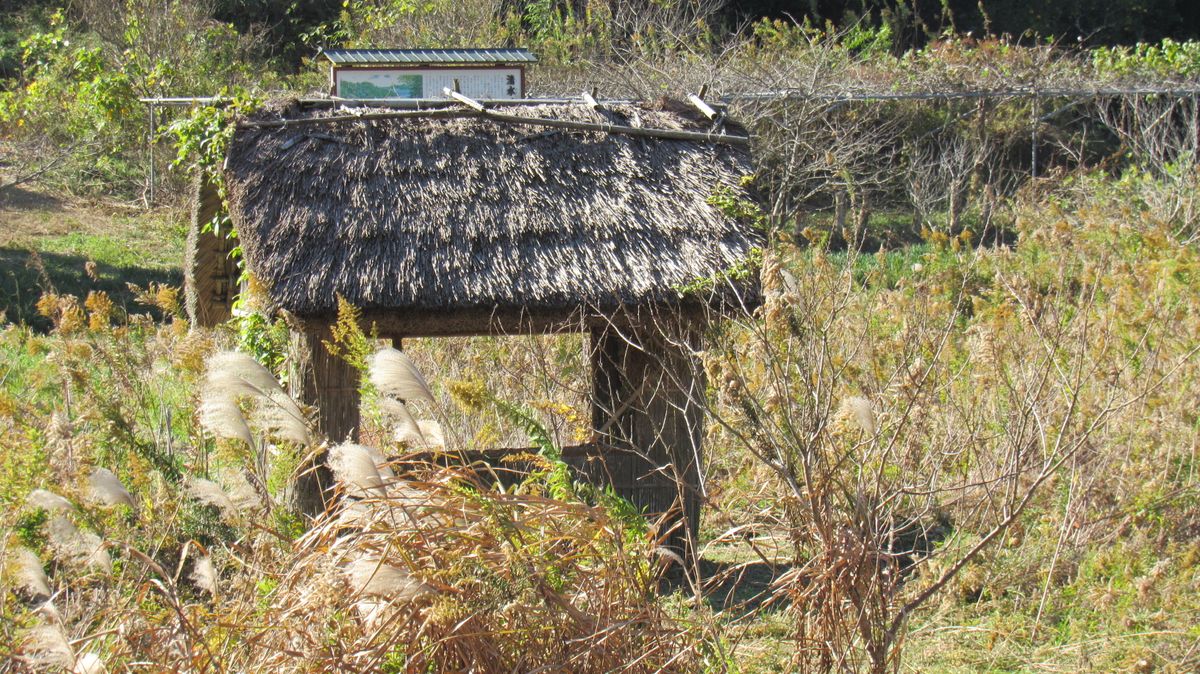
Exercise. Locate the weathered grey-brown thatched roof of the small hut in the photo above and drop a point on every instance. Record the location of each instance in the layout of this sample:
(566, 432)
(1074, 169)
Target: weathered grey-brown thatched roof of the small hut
(467, 213)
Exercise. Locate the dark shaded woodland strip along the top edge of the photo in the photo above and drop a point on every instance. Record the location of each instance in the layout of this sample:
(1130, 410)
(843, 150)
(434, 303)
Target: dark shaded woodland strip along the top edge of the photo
(289, 31)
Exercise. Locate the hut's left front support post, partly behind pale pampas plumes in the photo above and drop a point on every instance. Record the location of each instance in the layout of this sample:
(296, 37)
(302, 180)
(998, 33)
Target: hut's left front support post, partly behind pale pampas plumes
(332, 386)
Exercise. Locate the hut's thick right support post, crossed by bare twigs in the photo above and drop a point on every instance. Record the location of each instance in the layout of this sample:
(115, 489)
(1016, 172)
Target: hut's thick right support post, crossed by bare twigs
(647, 399)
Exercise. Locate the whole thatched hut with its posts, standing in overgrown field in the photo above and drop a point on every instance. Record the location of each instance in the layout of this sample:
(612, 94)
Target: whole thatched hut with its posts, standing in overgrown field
(455, 221)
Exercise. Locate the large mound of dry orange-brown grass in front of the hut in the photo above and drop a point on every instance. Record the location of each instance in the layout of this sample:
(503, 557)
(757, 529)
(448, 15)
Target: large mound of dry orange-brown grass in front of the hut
(448, 575)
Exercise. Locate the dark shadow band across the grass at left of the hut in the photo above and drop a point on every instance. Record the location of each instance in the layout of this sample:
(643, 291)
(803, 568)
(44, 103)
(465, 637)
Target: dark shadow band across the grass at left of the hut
(26, 275)
